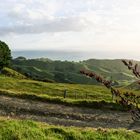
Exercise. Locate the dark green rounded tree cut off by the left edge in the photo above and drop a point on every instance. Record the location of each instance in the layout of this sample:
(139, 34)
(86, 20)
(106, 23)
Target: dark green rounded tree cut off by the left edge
(5, 55)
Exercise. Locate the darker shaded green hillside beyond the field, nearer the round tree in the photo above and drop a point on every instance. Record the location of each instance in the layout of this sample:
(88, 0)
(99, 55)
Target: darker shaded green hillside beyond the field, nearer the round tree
(53, 71)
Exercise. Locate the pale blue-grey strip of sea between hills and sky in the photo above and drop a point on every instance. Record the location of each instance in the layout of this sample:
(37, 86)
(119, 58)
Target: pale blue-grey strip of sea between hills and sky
(71, 55)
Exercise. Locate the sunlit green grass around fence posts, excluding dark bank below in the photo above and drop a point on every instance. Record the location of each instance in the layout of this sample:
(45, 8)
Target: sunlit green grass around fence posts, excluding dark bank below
(88, 92)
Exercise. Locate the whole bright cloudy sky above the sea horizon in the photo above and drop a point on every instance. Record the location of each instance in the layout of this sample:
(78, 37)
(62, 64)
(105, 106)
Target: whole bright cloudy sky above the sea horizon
(72, 25)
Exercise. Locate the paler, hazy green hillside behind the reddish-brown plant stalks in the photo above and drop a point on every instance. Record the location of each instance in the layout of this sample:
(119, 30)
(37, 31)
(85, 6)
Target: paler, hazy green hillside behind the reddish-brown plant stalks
(113, 69)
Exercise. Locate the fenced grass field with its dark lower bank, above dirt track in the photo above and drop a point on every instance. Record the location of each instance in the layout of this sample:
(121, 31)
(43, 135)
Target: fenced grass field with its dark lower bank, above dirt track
(86, 95)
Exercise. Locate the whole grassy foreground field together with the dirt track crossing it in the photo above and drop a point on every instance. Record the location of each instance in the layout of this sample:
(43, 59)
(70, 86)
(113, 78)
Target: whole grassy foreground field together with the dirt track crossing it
(84, 106)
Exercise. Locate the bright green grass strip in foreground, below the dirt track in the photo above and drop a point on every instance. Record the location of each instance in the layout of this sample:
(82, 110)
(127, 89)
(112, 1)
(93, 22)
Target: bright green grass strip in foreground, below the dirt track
(29, 130)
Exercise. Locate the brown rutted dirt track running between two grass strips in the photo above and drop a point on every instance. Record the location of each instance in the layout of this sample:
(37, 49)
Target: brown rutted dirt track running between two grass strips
(63, 115)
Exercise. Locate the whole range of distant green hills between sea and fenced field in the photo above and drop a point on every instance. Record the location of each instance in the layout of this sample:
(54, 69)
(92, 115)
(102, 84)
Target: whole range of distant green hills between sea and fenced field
(68, 72)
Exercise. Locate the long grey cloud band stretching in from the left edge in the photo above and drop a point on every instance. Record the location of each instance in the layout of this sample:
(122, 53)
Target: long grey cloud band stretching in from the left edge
(55, 25)
